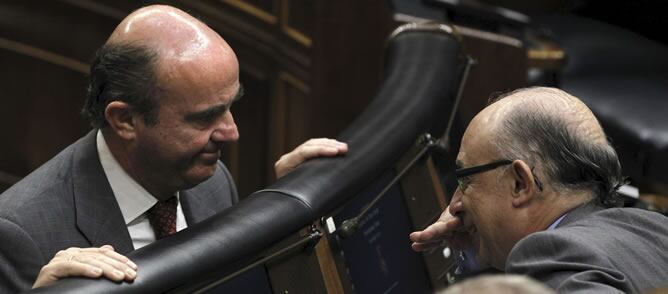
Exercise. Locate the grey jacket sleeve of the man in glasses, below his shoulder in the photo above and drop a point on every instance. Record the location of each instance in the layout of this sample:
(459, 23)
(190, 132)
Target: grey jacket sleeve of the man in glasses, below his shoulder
(569, 263)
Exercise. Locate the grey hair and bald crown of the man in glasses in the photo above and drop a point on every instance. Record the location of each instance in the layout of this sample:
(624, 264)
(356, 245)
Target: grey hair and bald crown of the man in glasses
(563, 141)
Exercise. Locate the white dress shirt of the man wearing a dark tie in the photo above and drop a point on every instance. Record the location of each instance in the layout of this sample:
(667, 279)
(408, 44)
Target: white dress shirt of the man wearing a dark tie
(132, 198)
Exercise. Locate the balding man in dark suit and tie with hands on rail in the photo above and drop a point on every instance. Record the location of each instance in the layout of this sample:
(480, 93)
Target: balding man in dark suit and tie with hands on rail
(160, 94)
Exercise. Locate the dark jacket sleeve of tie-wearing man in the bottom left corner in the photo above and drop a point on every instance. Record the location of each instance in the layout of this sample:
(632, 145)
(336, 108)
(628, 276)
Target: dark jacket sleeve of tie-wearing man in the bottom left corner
(20, 259)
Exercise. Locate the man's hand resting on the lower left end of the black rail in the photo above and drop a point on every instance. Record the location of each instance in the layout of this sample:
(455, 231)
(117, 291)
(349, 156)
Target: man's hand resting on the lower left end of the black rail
(87, 262)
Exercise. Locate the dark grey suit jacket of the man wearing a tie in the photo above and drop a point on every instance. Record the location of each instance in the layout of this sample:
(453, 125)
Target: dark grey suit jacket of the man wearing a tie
(67, 202)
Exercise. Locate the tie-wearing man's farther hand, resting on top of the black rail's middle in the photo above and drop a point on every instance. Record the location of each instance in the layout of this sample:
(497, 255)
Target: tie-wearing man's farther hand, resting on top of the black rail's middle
(310, 149)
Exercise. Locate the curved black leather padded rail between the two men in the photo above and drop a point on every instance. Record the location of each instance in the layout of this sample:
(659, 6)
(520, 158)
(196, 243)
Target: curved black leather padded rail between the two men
(423, 69)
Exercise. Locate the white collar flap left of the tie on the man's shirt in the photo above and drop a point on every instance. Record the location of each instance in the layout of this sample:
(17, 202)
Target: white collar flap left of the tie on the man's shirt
(132, 198)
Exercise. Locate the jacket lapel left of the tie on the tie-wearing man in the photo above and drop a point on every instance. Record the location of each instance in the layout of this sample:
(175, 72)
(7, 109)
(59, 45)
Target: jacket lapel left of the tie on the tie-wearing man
(98, 216)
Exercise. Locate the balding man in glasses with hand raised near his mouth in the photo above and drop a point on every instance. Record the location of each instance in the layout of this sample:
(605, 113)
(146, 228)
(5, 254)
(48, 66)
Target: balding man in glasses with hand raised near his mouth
(537, 183)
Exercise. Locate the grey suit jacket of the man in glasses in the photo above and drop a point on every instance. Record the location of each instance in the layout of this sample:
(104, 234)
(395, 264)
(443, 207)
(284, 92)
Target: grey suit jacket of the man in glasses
(596, 250)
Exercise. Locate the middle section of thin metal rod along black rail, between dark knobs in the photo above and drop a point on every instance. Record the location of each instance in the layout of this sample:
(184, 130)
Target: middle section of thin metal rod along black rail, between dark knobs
(349, 226)
